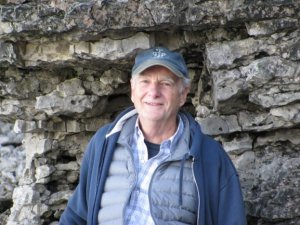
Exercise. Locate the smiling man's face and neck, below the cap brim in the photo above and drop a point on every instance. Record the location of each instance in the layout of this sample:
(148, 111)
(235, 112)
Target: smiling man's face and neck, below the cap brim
(157, 95)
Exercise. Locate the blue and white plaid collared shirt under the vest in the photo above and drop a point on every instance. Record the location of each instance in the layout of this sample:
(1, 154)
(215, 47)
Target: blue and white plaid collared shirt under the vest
(138, 208)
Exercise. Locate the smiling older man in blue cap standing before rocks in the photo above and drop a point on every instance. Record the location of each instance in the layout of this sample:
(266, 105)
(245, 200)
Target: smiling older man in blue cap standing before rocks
(153, 165)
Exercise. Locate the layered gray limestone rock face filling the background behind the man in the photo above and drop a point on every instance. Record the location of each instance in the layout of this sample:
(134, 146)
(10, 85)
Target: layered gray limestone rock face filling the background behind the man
(65, 70)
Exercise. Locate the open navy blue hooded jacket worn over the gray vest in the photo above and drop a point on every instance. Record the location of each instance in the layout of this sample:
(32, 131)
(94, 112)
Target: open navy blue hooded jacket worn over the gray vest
(221, 201)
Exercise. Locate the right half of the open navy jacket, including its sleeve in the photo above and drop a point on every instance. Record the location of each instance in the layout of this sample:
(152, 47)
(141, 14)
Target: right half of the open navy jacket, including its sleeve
(220, 195)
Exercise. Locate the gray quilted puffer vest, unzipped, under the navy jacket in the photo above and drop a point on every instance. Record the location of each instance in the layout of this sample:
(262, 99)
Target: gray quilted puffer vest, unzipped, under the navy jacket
(172, 194)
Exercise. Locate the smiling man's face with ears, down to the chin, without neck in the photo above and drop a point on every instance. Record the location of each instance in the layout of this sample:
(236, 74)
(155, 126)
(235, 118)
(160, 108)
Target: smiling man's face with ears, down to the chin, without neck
(157, 94)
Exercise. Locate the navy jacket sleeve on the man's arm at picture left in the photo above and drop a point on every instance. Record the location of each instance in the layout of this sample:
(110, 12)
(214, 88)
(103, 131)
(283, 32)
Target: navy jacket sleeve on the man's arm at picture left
(77, 208)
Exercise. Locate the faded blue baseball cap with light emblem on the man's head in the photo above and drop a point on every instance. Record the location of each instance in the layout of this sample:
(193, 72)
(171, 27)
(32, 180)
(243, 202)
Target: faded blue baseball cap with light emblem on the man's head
(160, 56)
